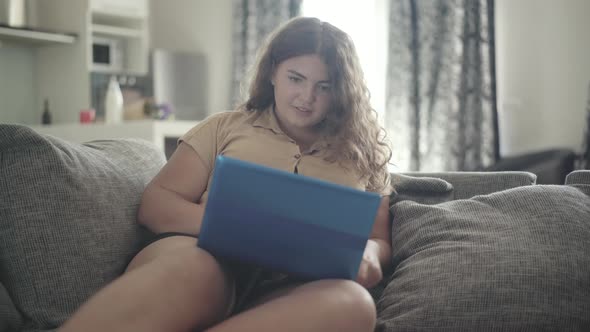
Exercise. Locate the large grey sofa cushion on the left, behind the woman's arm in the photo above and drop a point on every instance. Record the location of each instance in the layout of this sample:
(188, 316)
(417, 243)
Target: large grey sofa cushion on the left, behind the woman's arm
(67, 218)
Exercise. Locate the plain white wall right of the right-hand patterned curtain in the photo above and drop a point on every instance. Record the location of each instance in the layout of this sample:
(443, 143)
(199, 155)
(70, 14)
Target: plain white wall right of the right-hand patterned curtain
(543, 72)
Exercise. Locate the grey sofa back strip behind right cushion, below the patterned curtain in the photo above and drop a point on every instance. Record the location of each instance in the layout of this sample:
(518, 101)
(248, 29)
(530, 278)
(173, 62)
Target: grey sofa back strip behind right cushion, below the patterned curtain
(469, 184)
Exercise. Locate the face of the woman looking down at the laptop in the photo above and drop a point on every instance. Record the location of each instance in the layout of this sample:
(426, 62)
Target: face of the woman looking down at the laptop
(302, 94)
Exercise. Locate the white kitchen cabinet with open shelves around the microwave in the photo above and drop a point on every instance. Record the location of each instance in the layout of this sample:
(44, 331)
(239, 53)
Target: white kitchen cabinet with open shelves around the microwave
(63, 73)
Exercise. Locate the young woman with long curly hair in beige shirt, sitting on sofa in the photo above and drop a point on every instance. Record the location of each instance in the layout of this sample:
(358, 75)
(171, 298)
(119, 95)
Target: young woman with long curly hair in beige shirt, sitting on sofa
(307, 112)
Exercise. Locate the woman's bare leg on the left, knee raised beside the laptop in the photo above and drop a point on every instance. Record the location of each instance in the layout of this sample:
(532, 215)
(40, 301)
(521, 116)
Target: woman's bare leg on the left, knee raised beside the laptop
(171, 285)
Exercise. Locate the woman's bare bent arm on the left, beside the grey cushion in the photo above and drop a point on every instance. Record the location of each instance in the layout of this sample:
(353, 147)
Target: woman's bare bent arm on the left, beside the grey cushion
(169, 203)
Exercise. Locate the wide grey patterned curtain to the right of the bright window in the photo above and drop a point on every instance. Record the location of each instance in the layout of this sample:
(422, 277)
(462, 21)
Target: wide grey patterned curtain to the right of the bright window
(441, 96)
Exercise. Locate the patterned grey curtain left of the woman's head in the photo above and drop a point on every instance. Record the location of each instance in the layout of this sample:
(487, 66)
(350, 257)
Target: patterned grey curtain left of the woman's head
(253, 21)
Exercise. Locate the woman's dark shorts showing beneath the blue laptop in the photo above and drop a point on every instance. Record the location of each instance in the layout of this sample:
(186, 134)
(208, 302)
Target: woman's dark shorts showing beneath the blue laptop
(250, 282)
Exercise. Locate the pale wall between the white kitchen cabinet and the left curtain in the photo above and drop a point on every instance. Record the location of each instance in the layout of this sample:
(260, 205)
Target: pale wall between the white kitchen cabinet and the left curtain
(203, 26)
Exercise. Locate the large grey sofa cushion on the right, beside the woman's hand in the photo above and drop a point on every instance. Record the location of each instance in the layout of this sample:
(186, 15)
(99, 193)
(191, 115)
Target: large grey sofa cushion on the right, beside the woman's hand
(513, 260)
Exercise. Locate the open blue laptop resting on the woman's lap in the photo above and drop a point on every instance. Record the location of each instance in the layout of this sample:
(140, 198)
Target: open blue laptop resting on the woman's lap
(286, 222)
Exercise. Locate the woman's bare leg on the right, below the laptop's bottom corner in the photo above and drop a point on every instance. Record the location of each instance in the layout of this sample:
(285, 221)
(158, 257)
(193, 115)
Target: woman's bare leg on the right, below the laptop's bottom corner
(326, 305)
